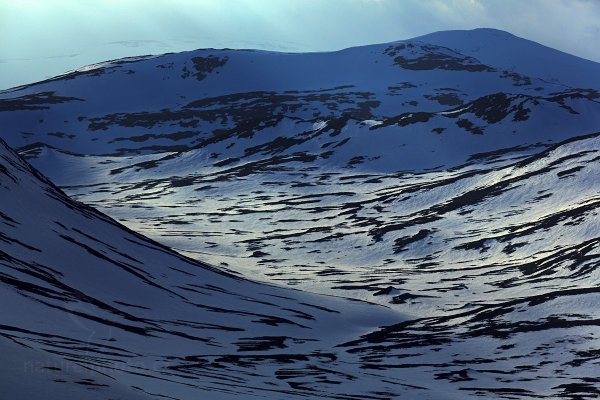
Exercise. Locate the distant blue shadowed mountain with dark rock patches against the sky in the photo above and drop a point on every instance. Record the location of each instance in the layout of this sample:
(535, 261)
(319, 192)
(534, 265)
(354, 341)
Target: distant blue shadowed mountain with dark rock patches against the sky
(413, 104)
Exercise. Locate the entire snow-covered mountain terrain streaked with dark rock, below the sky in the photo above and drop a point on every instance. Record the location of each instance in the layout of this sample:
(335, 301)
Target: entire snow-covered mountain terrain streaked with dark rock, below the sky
(450, 181)
